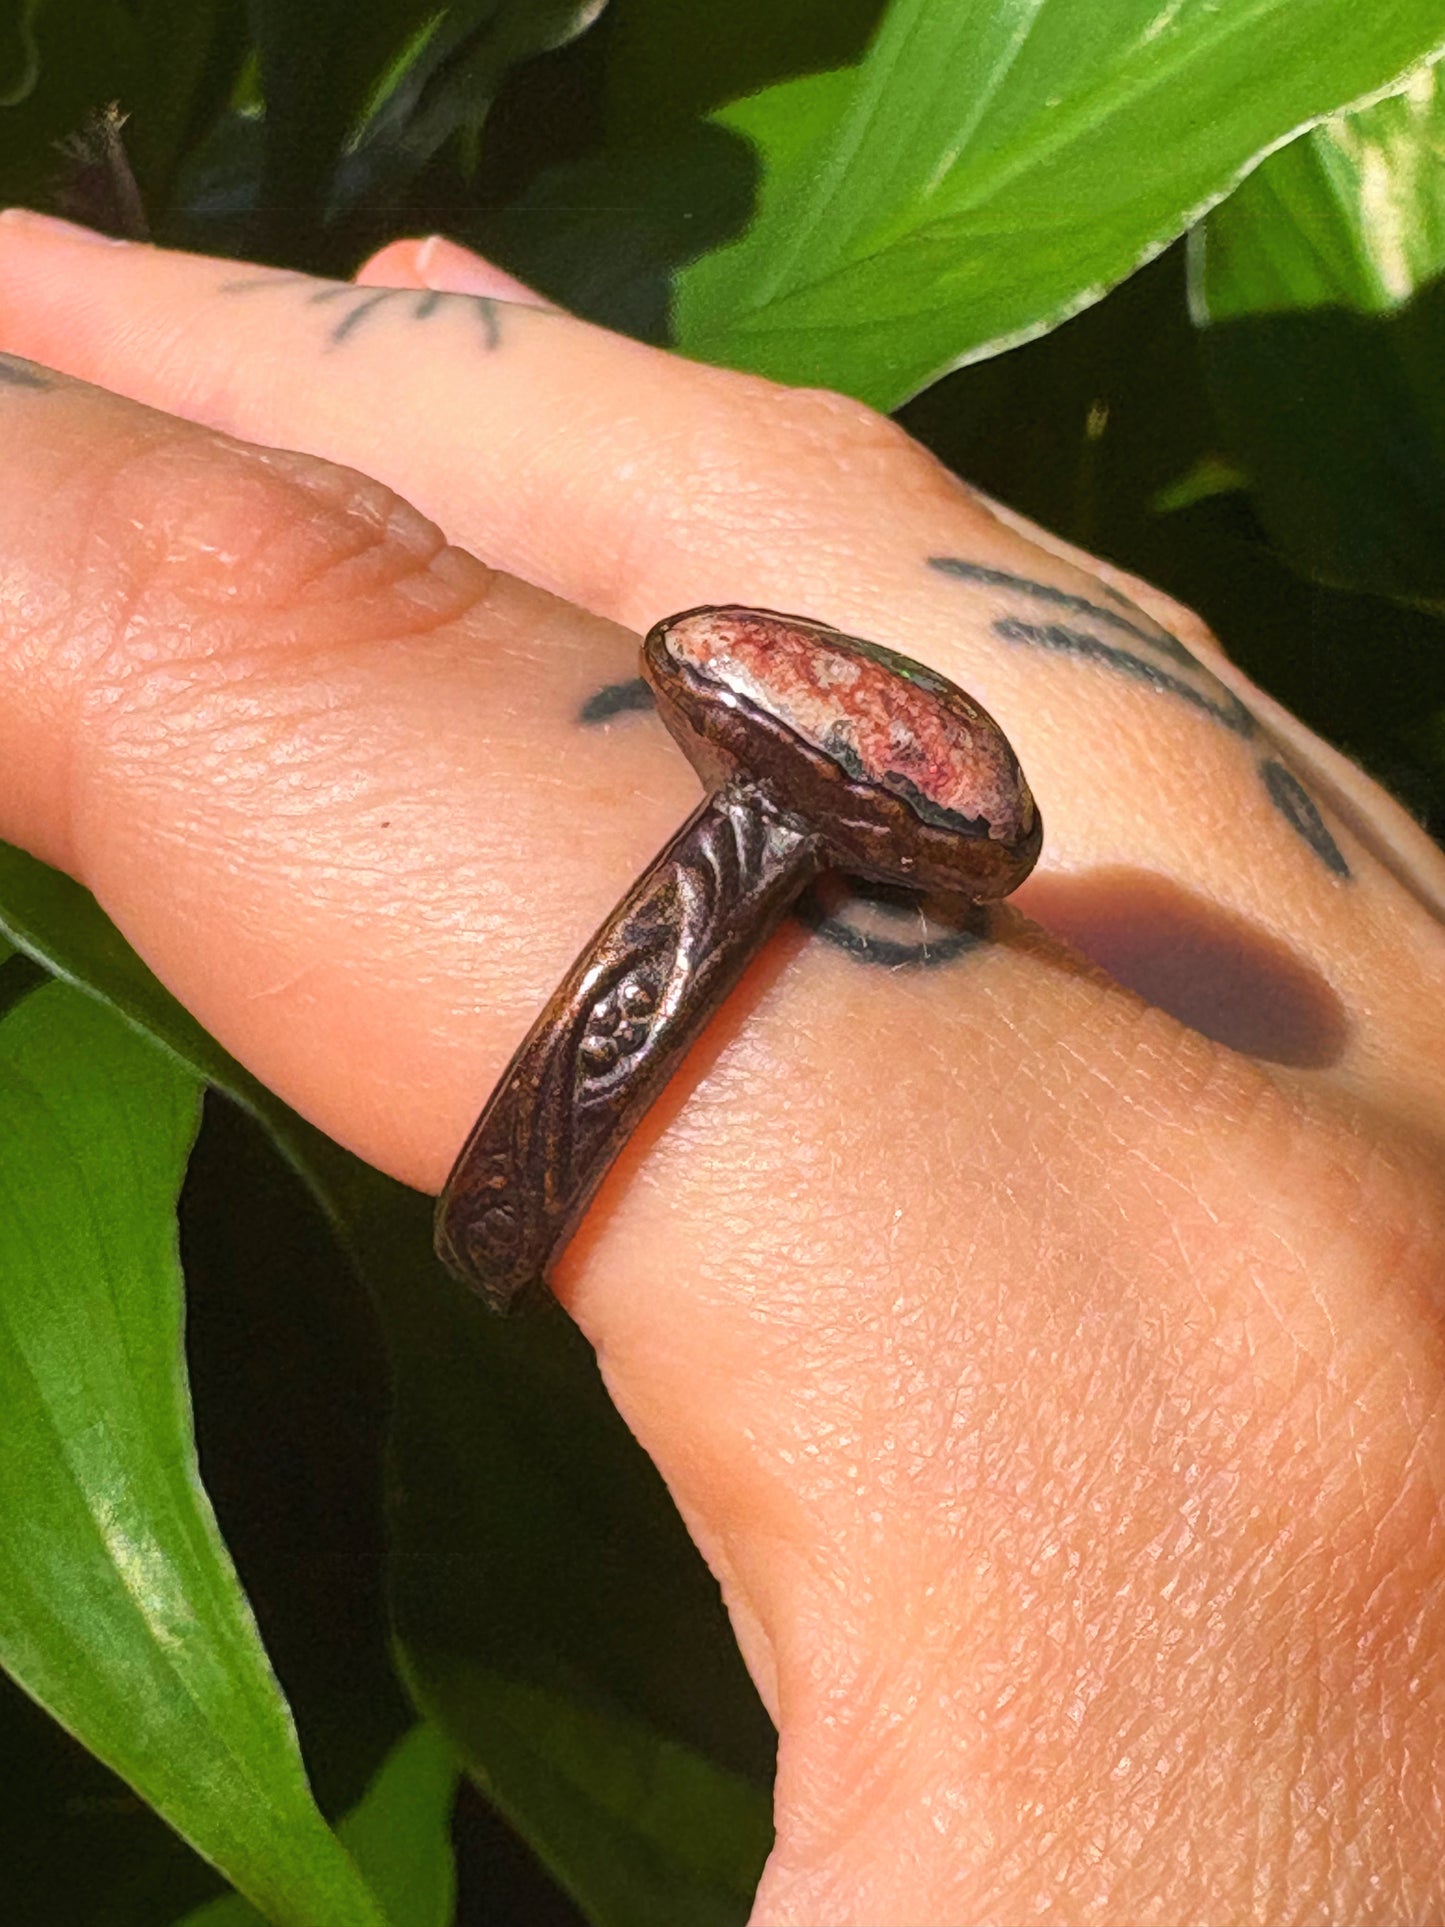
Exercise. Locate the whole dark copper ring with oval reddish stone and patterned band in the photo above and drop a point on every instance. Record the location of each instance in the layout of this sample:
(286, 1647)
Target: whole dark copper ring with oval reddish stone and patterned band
(818, 752)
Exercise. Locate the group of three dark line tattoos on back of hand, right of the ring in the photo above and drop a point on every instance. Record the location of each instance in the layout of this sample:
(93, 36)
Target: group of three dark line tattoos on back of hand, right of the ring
(1215, 700)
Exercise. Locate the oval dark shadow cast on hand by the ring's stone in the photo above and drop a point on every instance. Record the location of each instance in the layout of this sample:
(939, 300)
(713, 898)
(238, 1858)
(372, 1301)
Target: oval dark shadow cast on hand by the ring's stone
(1205, 966)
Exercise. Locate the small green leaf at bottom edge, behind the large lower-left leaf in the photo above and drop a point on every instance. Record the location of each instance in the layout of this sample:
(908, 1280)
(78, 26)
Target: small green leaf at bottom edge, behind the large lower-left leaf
(400, 1835)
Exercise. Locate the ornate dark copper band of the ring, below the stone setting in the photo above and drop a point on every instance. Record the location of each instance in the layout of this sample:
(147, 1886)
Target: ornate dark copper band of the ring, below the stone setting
(614, 1034)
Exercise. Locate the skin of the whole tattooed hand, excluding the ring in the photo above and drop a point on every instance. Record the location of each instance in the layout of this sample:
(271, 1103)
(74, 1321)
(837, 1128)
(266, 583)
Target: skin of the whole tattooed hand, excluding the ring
(1049, 1361)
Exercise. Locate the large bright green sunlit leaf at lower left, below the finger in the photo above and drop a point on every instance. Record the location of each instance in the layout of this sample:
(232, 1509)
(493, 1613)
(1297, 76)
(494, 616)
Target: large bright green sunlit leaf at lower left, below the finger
(118, 1604)
